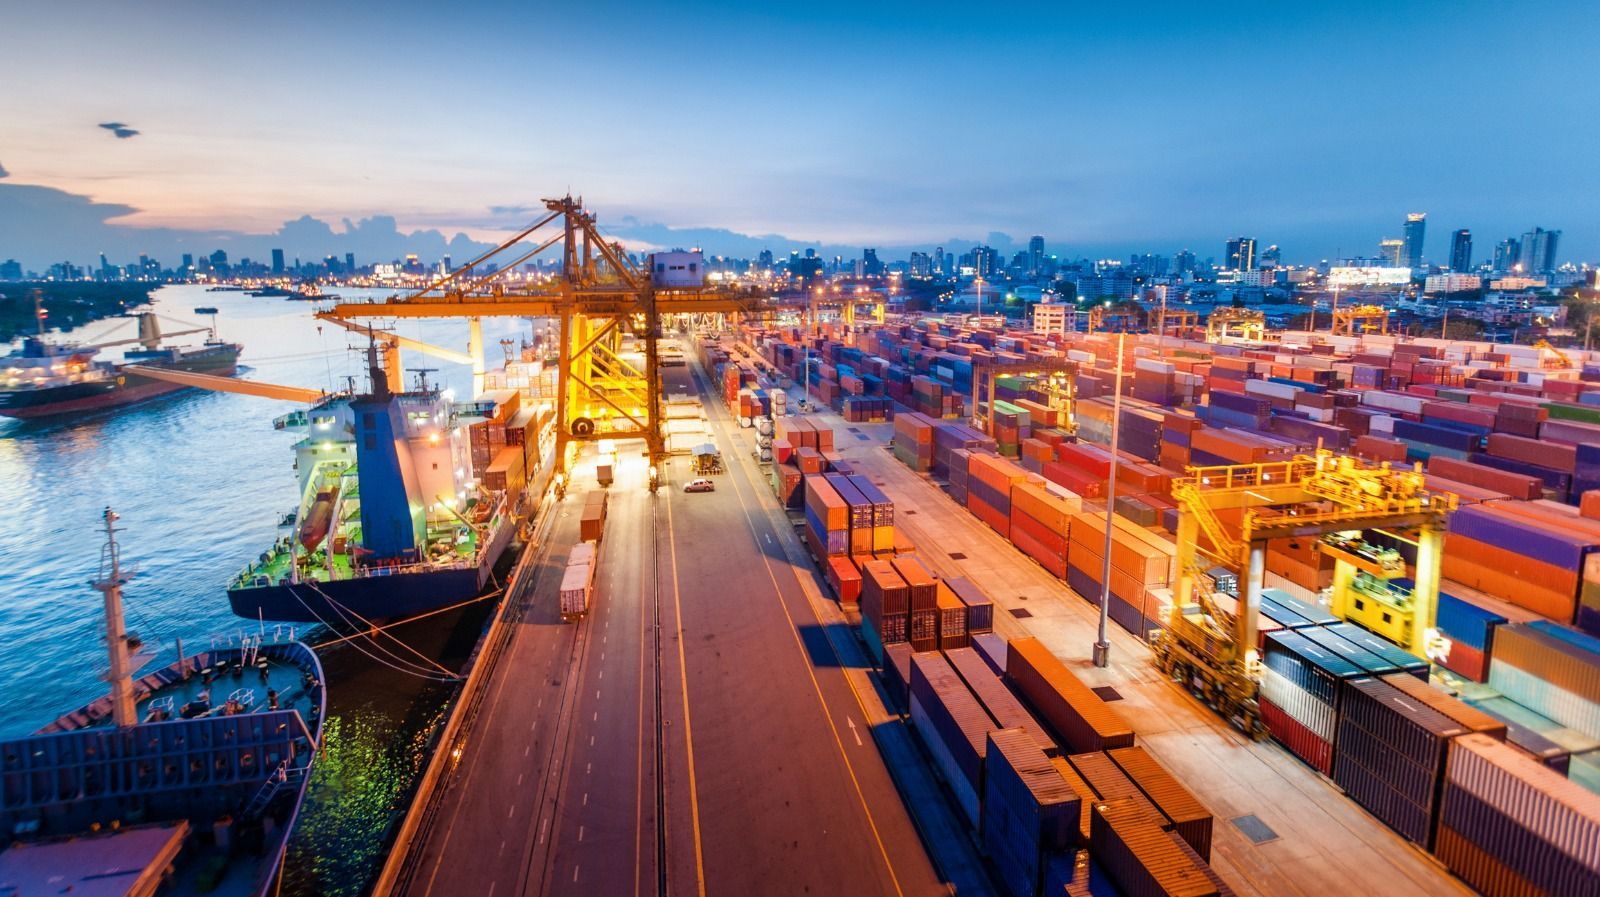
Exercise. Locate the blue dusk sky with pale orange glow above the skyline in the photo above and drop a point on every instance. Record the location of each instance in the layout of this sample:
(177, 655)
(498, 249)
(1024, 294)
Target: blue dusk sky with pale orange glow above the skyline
(1106, 127)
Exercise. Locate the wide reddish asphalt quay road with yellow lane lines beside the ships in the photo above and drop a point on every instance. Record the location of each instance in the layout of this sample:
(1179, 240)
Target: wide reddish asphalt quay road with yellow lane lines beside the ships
(770, 781)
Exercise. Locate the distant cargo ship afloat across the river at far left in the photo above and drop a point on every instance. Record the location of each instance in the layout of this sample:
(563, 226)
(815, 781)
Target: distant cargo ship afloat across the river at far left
(46, 380)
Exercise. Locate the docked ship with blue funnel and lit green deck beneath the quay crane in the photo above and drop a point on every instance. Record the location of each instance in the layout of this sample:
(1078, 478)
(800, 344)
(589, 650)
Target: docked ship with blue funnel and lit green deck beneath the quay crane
(402, 509)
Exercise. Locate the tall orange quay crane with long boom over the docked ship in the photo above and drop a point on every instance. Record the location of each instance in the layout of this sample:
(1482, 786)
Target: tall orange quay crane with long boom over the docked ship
(599, 297)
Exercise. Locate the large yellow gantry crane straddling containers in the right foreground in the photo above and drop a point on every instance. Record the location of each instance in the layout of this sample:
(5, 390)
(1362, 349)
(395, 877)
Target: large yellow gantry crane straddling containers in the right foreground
(1214, 648)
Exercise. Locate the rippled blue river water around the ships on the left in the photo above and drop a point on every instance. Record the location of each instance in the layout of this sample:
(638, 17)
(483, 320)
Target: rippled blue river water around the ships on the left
(201, 482)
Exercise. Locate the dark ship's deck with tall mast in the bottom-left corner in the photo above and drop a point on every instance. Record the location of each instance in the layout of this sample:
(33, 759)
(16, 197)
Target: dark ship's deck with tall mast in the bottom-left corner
(185, 781)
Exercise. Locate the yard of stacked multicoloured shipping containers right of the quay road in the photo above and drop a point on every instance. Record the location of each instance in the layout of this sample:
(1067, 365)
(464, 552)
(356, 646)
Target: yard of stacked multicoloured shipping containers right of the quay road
(1463, 613)
